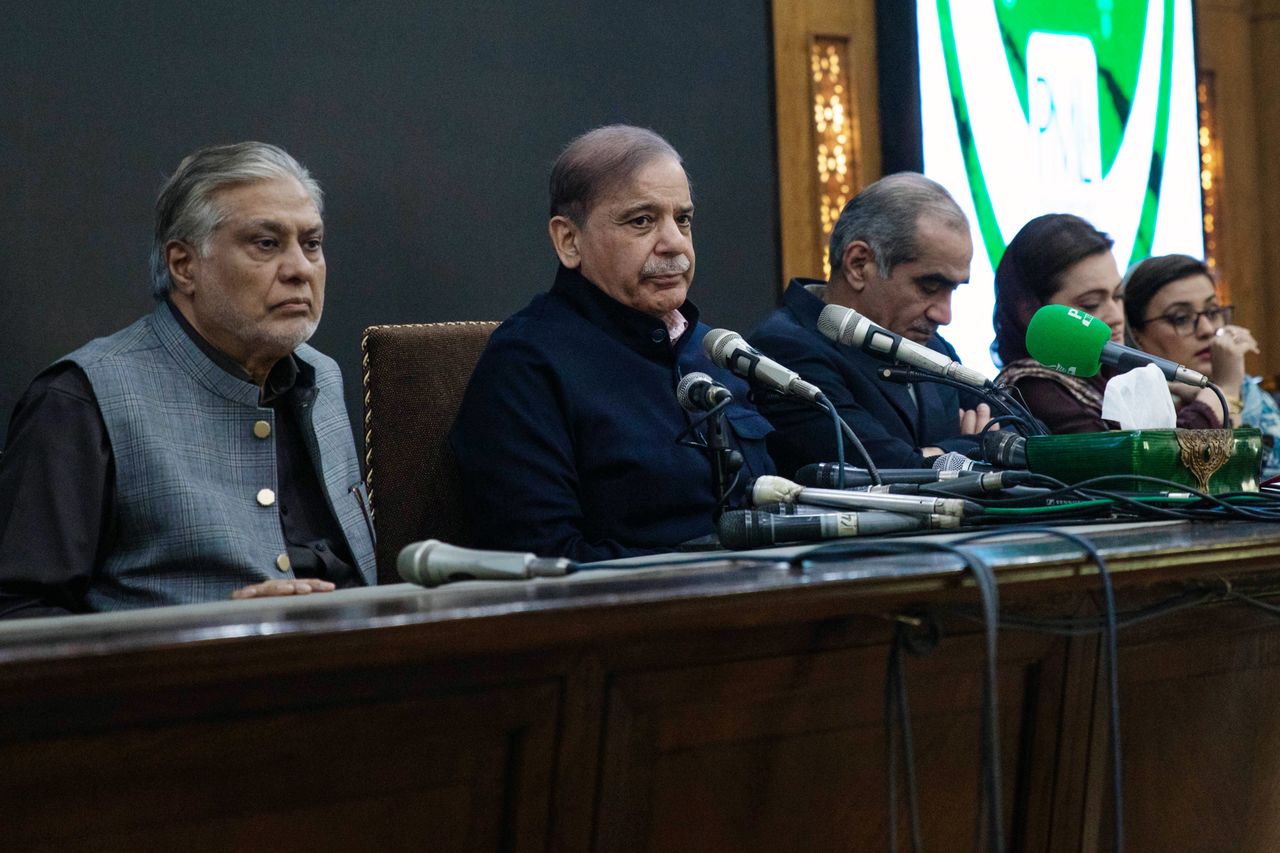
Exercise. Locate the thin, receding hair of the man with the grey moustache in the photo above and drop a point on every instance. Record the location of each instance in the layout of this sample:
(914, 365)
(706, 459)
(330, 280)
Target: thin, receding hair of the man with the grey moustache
(600, 161)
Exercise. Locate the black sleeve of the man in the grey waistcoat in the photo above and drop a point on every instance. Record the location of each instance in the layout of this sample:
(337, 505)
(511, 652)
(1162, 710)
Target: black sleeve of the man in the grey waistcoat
(57, 481)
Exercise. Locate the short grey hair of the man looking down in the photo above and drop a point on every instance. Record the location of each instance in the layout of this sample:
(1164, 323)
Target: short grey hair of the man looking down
(886, 217)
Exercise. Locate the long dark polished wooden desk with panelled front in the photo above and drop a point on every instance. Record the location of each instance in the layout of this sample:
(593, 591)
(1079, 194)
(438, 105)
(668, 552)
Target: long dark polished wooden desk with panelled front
(733, 708)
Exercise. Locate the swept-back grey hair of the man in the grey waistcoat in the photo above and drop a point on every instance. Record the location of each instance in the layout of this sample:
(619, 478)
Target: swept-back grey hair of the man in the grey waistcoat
(188, 208)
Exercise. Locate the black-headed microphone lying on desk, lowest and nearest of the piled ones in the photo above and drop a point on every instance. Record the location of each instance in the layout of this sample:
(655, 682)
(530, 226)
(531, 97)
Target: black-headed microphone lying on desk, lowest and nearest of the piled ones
(740, 530)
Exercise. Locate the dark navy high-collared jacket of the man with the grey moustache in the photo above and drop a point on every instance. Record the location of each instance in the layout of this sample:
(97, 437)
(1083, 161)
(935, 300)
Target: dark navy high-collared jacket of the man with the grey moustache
(566, 439)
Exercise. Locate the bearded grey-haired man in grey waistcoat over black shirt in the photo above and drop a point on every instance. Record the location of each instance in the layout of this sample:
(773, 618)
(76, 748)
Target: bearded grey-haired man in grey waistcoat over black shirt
(203, 453)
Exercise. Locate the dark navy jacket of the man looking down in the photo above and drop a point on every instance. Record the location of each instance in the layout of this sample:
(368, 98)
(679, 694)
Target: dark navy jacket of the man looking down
(884, 416)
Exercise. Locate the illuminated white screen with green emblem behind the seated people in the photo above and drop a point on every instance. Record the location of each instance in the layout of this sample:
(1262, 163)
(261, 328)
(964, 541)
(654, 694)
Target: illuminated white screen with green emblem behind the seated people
(1032, 107)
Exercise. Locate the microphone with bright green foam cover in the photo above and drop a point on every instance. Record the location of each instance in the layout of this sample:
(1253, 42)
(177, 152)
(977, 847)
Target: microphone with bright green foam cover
(1078, 344)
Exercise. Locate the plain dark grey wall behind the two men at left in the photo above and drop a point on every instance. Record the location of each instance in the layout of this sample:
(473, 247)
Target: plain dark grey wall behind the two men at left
(432, 127)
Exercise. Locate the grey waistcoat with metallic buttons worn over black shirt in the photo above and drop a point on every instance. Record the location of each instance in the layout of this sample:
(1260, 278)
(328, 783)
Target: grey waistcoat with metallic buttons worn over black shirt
(193, 519)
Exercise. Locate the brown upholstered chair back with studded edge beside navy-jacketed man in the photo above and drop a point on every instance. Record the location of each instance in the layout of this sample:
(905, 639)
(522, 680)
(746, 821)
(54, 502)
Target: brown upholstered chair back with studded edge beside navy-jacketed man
(414, 381)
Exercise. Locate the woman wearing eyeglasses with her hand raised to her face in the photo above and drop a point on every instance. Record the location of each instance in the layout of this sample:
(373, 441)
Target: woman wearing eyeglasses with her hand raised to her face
(1173, 312)
